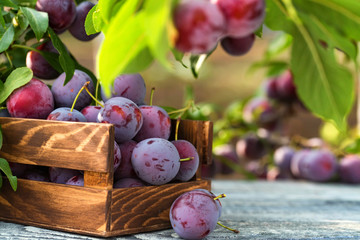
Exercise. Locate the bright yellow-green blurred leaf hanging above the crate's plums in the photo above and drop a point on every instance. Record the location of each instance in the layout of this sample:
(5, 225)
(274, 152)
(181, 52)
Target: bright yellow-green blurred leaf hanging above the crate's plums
(113, 58)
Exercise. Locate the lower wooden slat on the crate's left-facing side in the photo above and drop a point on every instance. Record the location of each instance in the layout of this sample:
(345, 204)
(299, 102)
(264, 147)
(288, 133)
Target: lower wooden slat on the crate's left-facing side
(56, 206)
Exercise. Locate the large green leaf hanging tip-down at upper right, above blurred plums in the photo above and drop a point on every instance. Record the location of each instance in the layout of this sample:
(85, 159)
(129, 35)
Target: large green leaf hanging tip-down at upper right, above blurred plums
(326, 88)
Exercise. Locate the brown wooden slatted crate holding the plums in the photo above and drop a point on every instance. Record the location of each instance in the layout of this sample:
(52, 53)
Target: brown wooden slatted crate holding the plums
(95, 209)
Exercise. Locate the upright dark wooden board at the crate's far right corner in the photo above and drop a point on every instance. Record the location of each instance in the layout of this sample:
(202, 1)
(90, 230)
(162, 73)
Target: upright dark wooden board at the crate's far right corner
(199, 133)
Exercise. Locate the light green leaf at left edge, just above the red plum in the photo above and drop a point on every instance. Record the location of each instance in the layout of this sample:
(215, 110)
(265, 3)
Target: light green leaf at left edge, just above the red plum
(17, 78)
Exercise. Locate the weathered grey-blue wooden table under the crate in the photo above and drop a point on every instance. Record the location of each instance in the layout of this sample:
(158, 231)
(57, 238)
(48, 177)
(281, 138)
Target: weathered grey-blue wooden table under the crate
(259, 210)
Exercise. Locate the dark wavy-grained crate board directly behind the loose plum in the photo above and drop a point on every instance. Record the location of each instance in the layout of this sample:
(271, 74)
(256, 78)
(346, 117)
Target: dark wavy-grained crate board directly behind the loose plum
(143, 209)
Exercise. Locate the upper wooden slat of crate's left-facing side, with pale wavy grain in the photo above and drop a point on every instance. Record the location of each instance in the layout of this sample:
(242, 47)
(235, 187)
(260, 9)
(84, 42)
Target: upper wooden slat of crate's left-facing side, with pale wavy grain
(82, 146)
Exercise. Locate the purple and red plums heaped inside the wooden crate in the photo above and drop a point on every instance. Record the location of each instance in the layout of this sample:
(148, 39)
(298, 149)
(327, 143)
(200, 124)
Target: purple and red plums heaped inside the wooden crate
(143, 154)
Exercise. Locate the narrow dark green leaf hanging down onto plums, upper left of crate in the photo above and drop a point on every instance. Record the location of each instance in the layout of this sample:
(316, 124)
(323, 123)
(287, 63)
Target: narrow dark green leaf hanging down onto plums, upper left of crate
(66, 62)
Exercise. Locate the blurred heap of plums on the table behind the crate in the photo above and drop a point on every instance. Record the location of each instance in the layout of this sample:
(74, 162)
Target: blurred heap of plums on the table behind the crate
(263, 148)
